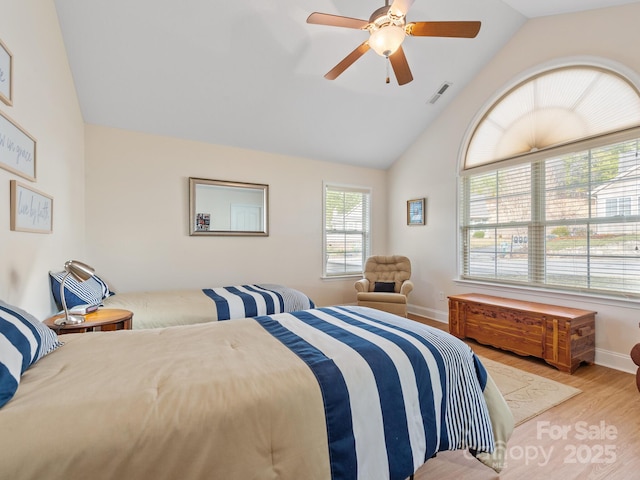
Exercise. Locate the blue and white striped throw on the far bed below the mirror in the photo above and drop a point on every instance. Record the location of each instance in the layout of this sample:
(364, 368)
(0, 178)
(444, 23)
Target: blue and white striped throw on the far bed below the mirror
(253, 300)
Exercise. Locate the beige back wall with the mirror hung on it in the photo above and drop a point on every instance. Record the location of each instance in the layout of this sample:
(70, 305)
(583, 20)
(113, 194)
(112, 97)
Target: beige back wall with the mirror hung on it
(137, 220)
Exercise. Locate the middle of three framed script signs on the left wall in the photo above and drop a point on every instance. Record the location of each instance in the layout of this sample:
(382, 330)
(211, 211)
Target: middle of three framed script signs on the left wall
(17, 149)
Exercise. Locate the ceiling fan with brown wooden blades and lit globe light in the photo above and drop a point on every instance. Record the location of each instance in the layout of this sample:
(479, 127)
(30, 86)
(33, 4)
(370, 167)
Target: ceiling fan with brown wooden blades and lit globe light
(387, 30)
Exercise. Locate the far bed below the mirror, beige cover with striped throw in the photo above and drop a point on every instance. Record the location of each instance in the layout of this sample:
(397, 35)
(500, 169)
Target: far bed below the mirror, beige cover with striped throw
(157, 309)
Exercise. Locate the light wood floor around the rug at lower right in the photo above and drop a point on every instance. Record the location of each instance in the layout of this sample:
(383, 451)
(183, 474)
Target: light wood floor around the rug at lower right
(602, 424)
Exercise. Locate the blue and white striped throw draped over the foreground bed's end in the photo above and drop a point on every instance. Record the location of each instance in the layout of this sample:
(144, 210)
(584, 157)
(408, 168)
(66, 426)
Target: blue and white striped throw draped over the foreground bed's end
(395, 391)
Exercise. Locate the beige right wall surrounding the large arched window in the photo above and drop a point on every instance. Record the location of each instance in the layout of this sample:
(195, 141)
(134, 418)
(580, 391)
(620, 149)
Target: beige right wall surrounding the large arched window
(429, 168)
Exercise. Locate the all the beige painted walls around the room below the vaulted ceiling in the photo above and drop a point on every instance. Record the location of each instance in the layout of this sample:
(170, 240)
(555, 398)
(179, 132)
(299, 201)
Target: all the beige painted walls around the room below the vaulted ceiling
(136, 200)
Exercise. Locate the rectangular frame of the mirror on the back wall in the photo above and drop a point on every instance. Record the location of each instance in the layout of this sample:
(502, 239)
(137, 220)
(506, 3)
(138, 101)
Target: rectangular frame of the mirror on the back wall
(195, 182)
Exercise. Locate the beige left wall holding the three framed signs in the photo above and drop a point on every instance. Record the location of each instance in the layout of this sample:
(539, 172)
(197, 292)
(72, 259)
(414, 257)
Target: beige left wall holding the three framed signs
(45, 105)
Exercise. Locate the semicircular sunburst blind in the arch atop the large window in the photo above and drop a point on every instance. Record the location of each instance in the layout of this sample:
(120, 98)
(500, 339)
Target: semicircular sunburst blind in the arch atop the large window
(553, 108)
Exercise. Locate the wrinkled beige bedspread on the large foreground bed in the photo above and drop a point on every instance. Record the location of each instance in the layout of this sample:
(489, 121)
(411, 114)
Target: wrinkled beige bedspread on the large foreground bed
(213, 401)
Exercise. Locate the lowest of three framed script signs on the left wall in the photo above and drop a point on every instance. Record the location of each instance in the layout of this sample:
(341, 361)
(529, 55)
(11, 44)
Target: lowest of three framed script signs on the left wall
(31, 210)
